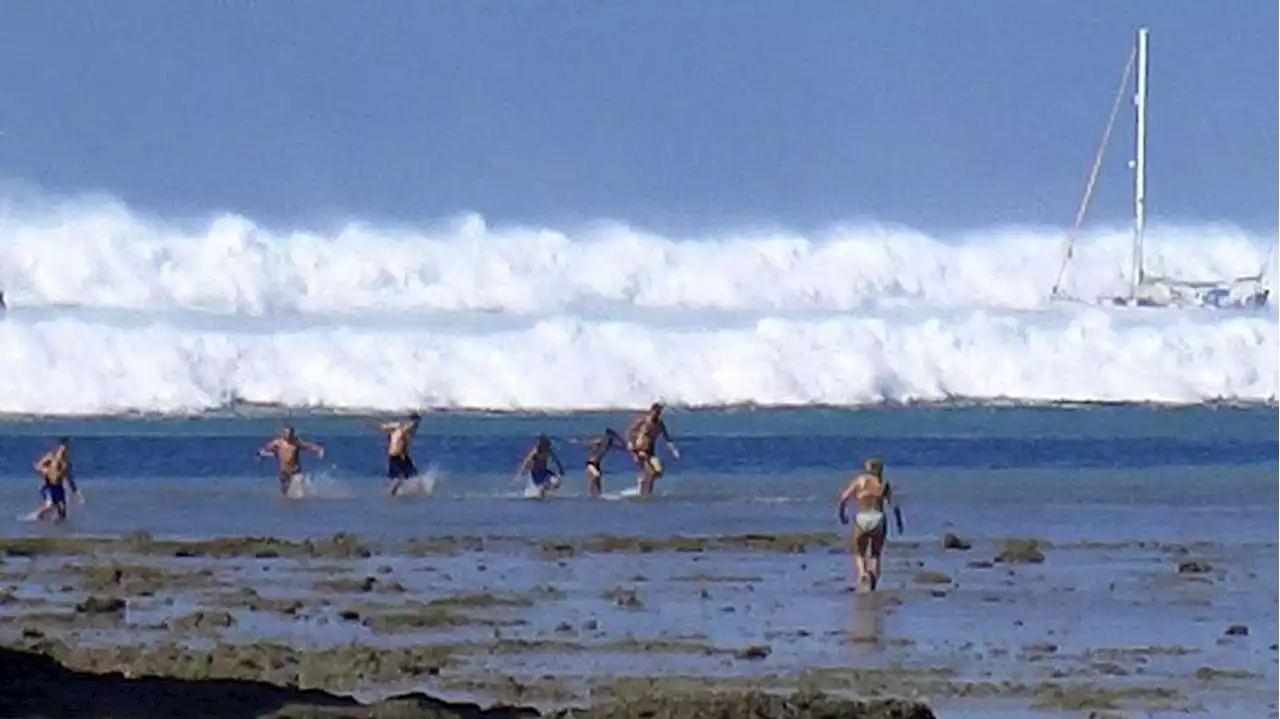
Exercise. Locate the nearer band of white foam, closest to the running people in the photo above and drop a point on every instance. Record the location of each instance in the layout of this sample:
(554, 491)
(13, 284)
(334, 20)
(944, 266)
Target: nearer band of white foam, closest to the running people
(71, 367)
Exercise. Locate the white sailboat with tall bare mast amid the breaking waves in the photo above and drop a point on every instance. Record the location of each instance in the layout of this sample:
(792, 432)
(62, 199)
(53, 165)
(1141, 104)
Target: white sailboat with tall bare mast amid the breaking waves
(1145, 288)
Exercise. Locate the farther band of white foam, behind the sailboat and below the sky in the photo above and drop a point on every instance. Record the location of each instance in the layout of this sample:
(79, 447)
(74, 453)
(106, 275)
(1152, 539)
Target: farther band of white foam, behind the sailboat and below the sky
(102, 255)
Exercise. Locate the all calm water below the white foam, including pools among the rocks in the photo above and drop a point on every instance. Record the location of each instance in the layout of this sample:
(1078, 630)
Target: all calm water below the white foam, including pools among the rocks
(1142, 479)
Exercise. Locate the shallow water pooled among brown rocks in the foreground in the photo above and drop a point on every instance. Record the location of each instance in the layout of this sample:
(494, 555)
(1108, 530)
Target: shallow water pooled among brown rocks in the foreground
(1105, 617)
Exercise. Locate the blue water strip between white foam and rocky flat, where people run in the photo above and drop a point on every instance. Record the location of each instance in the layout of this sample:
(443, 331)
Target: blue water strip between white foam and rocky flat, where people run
(1055, 474)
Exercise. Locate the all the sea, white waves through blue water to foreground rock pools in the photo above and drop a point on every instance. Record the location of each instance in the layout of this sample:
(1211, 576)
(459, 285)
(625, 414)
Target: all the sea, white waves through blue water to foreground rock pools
(172, 351)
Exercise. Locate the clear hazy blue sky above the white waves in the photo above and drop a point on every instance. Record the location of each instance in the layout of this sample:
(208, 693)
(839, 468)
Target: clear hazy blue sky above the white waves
(940, 115)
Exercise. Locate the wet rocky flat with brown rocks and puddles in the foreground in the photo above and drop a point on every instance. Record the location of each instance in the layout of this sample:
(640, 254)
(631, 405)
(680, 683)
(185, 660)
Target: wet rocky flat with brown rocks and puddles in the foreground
(972, 628)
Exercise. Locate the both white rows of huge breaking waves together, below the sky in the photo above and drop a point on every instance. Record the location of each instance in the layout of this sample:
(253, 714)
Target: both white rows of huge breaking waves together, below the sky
(116, 313)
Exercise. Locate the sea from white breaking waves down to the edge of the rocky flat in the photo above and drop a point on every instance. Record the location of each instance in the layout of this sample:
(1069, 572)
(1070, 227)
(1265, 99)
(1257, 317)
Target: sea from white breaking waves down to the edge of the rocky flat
(115, 315)
